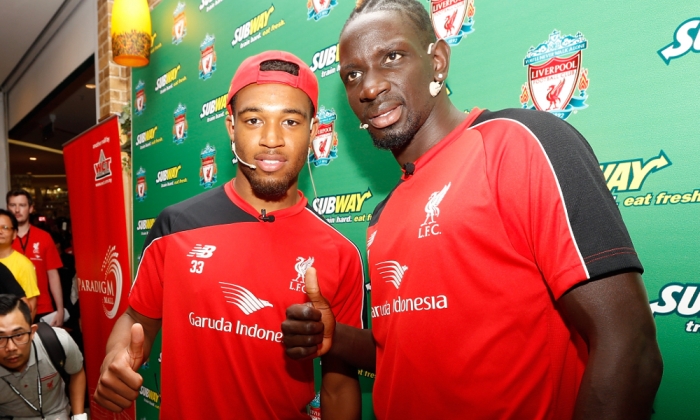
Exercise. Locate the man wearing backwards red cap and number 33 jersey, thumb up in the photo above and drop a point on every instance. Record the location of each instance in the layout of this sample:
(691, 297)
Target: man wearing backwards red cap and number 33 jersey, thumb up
(218, 271)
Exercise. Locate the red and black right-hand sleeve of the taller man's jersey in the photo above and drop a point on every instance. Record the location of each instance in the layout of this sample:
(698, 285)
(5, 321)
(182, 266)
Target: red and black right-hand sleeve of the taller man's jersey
(554, 201)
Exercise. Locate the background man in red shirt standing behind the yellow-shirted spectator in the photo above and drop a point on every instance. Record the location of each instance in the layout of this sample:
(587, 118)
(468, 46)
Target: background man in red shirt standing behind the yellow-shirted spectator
(37, 245)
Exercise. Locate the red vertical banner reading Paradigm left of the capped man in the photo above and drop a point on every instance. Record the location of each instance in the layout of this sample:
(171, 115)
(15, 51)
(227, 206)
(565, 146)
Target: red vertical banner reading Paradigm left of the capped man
(96, 198)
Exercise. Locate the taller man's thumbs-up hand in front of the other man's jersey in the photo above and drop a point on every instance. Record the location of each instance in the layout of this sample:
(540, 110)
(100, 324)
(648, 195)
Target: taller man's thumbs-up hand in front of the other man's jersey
(308, 330)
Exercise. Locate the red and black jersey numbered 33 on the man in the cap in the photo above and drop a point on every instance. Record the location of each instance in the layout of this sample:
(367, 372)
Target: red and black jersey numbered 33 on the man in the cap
(221, 280)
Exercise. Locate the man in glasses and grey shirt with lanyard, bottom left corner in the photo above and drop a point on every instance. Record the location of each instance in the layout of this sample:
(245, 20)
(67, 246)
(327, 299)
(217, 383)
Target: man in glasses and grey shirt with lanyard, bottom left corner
(31, 387)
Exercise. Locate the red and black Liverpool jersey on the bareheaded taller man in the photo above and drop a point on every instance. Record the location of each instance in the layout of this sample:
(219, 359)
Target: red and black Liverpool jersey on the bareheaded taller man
(467, 258)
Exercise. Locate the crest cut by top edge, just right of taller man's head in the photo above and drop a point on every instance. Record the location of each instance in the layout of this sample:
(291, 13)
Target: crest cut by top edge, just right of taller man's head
(452, 20)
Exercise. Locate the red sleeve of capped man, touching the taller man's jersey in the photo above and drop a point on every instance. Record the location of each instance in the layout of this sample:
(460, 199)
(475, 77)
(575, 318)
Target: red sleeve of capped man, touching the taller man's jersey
(348, 304)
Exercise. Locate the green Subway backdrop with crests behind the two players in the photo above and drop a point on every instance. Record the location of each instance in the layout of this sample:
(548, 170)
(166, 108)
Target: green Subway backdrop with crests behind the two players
(624, 73)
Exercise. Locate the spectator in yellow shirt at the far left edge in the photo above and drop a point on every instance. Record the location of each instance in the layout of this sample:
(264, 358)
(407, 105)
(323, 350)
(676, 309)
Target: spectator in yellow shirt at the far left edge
(20, 266)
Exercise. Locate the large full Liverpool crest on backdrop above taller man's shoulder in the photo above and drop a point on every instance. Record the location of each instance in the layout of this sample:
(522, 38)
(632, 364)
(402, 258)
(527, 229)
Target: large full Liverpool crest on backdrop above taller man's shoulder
(556, 80)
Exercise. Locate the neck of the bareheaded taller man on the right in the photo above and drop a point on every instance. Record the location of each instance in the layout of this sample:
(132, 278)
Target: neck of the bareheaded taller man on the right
(444, 118)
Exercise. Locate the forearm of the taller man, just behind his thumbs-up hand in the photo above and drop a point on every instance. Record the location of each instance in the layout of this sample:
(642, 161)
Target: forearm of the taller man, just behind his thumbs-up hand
(355, 346)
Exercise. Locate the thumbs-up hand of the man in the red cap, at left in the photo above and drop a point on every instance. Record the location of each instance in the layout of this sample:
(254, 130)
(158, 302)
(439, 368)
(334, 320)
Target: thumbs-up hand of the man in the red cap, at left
(119, 382)
